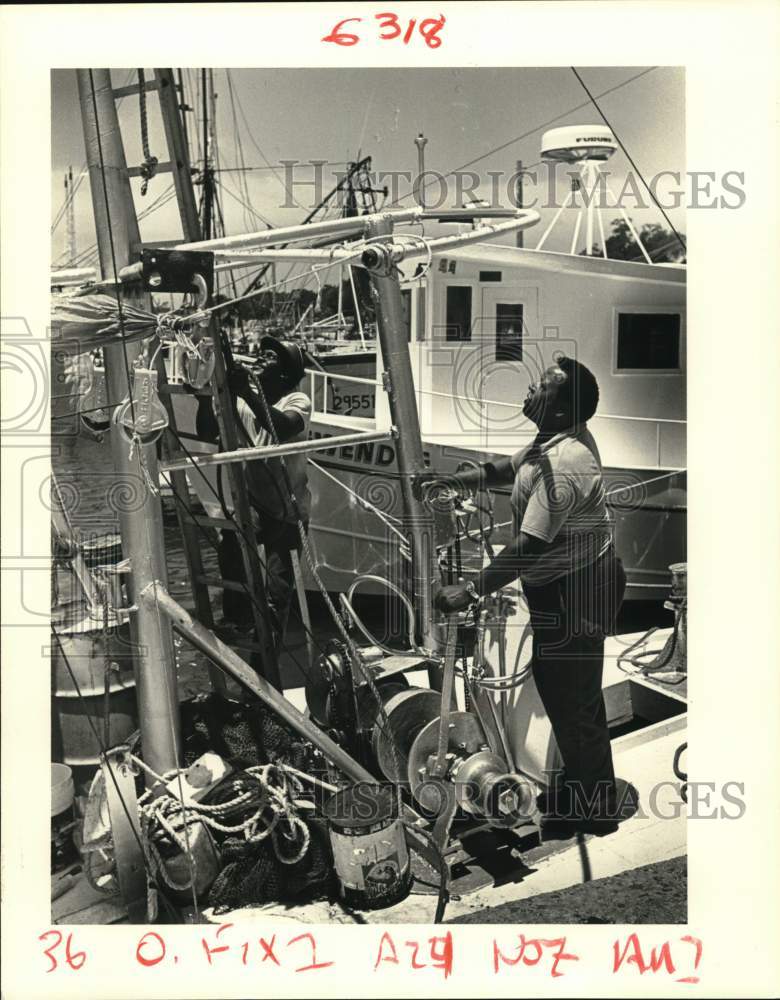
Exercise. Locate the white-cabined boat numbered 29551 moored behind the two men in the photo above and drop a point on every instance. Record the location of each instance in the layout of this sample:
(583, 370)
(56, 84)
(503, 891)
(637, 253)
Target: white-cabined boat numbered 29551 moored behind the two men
(482, 322)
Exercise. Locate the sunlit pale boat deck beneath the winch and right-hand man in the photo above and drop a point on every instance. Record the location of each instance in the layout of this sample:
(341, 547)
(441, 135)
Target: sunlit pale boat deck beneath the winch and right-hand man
(643, 751)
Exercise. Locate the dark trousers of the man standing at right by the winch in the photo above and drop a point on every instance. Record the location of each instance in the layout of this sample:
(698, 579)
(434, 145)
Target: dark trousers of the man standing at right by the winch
(570, 617)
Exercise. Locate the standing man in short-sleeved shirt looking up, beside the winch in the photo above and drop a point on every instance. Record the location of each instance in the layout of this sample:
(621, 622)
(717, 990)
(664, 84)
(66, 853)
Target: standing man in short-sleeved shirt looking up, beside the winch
(572, 579)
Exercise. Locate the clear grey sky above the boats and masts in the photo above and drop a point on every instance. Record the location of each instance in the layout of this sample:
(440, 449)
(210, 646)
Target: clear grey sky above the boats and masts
(466, 115)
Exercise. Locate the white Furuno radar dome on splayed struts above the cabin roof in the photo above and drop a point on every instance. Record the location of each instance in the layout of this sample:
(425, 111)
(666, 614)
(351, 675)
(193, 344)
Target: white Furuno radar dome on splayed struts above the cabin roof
(587, 147)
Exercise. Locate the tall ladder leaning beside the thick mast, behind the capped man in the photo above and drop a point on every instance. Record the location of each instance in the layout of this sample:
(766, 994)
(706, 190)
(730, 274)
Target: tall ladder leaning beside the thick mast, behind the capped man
(193, 526)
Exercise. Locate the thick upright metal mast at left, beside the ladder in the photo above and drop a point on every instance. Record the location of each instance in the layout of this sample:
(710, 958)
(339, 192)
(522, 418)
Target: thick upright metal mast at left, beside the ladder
(141, 519)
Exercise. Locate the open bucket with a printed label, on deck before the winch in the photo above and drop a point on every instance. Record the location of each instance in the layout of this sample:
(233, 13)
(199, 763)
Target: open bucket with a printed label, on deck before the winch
(369, 845)
